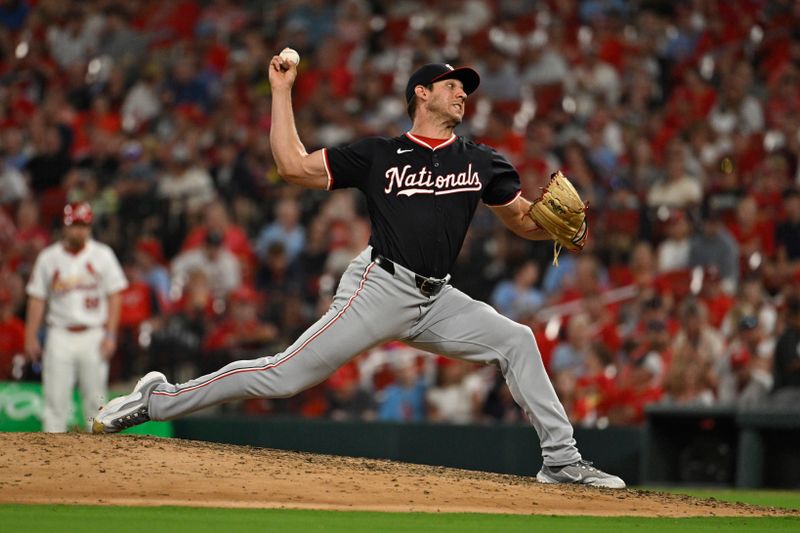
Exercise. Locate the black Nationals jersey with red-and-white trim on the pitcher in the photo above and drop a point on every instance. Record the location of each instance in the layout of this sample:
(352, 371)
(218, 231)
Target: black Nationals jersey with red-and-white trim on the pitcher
(421, 199)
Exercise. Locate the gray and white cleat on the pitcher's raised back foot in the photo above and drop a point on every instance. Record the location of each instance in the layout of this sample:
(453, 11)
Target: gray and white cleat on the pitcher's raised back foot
(128, 411)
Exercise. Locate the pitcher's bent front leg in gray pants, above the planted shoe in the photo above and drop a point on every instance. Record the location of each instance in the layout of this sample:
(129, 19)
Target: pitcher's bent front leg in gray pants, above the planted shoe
(455, 325)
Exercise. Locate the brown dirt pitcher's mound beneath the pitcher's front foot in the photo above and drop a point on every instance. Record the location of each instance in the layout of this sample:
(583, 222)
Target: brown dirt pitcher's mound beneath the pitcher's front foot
(131, 470)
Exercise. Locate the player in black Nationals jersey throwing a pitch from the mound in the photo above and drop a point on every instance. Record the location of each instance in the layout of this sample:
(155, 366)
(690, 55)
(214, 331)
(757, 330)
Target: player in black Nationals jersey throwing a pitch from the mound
(422, 189)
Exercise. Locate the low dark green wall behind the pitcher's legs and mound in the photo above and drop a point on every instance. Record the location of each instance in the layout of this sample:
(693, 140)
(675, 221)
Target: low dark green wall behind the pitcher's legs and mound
(502, 448)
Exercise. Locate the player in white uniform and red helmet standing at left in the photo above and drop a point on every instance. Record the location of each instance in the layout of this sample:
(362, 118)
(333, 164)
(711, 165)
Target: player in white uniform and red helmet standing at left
(75, 285)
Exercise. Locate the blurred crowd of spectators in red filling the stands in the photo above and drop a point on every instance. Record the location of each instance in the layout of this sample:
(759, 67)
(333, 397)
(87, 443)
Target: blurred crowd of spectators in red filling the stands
(678, 121)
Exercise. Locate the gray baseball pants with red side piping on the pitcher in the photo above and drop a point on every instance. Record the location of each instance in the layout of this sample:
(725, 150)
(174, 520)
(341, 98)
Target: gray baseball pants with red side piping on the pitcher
(372, 306)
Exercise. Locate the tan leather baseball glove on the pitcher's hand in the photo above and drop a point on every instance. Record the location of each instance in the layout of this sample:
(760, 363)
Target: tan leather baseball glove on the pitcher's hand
(562, 214)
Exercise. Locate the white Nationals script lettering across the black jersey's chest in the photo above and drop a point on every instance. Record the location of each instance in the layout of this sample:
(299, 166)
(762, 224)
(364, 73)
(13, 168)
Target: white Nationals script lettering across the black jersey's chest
(423, 182)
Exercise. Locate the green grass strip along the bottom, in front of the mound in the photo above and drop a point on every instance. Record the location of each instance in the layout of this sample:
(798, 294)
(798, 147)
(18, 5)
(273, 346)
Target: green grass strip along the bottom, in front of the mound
(85, 519)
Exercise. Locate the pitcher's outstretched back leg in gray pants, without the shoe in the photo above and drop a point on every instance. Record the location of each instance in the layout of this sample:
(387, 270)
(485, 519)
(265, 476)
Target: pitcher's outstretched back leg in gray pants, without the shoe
(364, 313)
